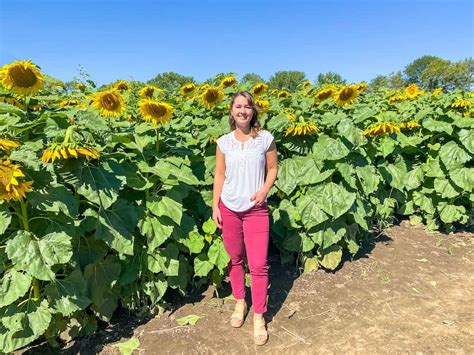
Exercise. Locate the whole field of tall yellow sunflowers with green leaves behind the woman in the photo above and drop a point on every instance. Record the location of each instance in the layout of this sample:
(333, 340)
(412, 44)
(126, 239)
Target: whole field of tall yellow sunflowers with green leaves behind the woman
(106, 194)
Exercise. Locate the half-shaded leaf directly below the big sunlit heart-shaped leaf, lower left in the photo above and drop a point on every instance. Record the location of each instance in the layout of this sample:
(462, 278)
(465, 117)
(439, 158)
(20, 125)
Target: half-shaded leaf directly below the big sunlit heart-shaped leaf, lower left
(68, 295)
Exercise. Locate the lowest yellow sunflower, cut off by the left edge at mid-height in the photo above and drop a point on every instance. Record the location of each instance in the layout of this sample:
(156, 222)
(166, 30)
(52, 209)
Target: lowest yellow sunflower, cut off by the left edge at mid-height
(10, 187)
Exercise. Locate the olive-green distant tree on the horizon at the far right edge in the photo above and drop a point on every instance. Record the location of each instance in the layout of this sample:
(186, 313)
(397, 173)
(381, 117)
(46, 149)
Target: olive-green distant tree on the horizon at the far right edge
(447, 75)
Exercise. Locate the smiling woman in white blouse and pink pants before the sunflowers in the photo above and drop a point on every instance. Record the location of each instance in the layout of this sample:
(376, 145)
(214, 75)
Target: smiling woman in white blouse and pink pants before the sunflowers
(246, 168)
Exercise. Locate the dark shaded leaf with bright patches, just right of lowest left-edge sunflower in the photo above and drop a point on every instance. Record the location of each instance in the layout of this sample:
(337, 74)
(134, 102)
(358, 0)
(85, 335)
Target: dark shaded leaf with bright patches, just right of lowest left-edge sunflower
(55, 198)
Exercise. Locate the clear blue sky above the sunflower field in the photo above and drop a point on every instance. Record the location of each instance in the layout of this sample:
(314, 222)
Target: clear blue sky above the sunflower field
(139, 39)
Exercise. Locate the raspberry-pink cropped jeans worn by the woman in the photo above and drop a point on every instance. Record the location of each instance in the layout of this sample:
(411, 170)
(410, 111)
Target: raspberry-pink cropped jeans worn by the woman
(247, 233)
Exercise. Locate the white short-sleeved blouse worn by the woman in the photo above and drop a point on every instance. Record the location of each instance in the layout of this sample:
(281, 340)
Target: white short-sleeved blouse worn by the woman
(244, 168)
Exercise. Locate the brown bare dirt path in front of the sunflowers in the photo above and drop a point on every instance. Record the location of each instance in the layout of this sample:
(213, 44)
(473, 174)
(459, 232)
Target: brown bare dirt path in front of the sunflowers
(412, 292)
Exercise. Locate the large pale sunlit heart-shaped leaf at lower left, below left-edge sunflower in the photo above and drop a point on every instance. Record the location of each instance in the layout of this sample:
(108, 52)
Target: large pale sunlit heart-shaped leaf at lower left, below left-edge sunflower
(37, 257)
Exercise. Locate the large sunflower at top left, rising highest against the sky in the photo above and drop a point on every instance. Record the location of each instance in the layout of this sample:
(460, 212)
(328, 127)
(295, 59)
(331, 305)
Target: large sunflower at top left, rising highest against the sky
(22, 77)
